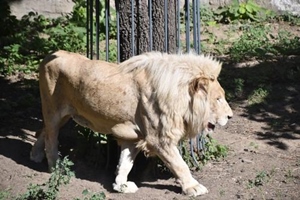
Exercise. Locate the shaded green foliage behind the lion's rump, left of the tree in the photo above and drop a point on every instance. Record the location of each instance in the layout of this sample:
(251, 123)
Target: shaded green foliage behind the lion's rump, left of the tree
(24, 42)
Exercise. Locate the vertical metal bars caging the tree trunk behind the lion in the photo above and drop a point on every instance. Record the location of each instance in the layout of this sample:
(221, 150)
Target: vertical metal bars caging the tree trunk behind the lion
(187, 36)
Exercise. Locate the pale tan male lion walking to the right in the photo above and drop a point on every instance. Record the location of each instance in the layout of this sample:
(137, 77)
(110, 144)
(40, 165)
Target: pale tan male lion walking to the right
(148, 103)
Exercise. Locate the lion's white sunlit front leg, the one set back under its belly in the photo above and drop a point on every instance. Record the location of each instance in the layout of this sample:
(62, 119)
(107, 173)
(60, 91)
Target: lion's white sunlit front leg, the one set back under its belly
(128, 154)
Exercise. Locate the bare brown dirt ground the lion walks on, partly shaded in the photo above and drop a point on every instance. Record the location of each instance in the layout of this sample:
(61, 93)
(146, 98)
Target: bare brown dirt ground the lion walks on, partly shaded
(263, 160)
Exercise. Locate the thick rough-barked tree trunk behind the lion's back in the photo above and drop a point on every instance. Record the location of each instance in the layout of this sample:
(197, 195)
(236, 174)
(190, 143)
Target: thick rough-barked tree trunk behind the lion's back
(141, 27)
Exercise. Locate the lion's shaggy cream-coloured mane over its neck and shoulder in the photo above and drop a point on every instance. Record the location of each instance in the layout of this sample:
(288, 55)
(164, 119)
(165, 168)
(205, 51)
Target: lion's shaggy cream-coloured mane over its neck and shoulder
(169, 76)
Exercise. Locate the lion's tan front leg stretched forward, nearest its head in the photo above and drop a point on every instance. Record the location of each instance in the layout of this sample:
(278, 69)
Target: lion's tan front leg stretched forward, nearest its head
(173, 160)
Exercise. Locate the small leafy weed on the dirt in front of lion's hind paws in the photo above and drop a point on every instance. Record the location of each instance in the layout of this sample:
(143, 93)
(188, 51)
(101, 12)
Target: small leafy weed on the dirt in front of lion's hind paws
(60, 176)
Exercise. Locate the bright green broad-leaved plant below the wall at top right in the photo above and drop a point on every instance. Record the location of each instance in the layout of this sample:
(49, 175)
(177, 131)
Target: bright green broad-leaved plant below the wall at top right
(247, 10)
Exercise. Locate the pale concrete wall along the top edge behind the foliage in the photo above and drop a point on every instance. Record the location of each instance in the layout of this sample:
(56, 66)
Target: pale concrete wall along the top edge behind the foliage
(54, 8)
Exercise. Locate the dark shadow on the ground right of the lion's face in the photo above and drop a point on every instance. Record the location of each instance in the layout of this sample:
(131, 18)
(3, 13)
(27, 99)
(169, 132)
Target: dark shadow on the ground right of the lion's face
(270, 91)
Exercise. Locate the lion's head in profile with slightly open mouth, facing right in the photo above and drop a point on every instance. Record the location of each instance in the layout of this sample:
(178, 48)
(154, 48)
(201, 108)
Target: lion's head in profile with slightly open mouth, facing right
(208, 100)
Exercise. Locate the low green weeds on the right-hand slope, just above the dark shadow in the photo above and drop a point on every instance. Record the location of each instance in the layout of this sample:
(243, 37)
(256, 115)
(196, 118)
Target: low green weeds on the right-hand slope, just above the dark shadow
(264, 45)
